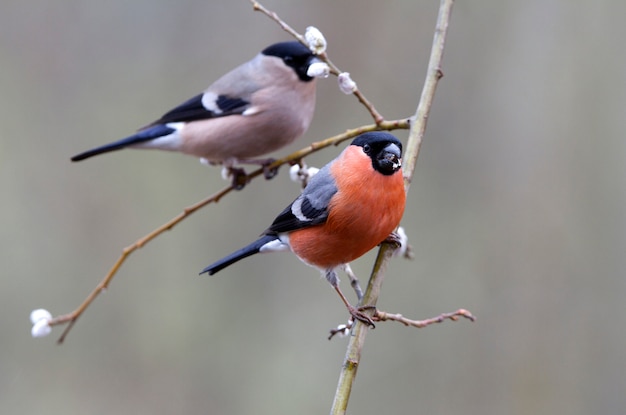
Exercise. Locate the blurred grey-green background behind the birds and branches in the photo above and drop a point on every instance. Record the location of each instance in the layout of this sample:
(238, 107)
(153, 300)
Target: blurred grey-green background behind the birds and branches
(517, 212)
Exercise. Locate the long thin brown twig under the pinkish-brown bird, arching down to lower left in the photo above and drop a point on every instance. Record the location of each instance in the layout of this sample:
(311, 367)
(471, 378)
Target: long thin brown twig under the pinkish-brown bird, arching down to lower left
(71, 318)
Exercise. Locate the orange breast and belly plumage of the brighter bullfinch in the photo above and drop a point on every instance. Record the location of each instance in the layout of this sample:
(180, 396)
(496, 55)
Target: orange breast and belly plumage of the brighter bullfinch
(367, 207)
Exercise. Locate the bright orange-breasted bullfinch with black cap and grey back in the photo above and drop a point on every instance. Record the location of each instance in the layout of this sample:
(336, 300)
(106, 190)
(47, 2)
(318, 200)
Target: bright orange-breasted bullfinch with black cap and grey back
(351, 205)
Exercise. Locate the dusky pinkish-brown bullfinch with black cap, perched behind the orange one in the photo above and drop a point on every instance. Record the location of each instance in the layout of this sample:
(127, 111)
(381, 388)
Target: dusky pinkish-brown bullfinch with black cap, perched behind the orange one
(258, 107)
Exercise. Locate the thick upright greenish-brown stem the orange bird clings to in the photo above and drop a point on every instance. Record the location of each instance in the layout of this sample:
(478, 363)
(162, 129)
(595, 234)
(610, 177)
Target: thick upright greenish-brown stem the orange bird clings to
(418, 127)
